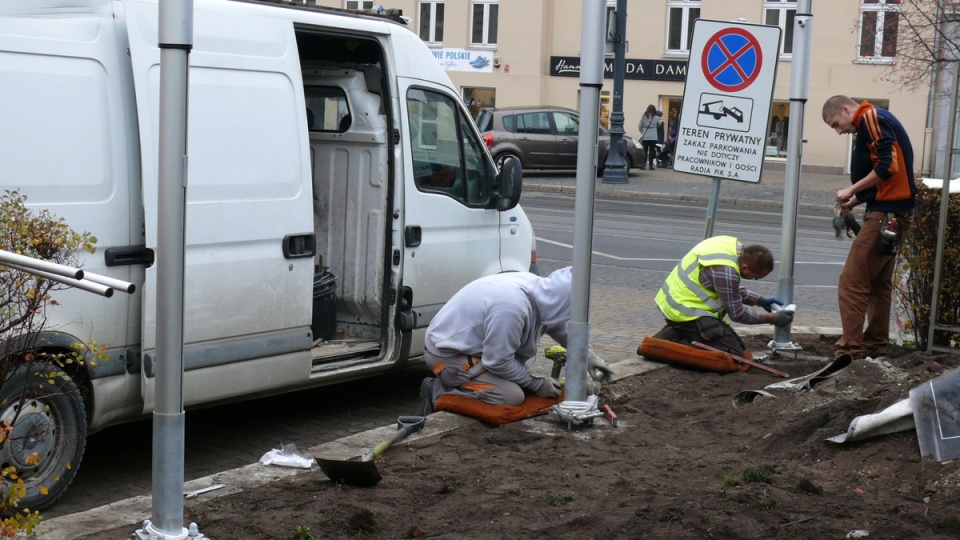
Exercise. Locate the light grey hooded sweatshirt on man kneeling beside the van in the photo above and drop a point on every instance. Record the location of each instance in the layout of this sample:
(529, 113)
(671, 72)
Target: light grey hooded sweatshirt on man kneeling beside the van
(500, 319)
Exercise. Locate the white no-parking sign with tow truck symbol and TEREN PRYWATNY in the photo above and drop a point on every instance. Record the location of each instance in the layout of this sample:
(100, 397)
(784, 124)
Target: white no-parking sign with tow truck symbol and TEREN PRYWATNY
(726, 100)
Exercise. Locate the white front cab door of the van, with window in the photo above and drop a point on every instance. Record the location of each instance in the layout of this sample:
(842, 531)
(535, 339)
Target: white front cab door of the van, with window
(451, 237)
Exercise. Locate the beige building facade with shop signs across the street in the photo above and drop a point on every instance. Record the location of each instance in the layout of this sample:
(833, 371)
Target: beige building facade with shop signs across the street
(527, 52)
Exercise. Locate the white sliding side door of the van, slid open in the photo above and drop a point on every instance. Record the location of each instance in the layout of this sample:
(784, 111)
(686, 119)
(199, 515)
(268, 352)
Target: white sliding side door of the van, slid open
(248, 287)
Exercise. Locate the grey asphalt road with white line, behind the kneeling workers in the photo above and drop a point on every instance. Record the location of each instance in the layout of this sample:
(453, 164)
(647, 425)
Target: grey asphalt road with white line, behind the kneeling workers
(635, 237)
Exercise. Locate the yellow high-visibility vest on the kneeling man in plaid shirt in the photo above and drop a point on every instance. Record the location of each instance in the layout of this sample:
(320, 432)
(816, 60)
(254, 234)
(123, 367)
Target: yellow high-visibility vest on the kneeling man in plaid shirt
(682, 298)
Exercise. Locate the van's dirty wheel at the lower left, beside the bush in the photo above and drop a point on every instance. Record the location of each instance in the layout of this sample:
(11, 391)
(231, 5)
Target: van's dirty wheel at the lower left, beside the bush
(48, 419)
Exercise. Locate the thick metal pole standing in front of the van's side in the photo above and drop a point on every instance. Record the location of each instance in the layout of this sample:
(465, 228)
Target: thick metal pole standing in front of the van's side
(175, 39)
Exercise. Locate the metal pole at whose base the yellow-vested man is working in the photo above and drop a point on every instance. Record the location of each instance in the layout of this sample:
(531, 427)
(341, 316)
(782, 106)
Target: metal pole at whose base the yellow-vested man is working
(799, 84)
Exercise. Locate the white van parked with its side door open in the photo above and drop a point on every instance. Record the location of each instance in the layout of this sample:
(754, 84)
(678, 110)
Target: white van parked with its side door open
(338, 194)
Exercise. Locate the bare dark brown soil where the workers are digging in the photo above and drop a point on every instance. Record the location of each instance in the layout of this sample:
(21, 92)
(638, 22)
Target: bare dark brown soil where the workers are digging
(682, 463)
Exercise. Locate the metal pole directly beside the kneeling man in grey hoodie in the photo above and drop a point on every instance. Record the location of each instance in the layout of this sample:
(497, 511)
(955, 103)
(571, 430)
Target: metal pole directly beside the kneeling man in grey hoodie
(591, 81)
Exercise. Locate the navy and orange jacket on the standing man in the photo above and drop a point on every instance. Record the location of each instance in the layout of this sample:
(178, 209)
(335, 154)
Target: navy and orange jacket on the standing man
(882, 145)
